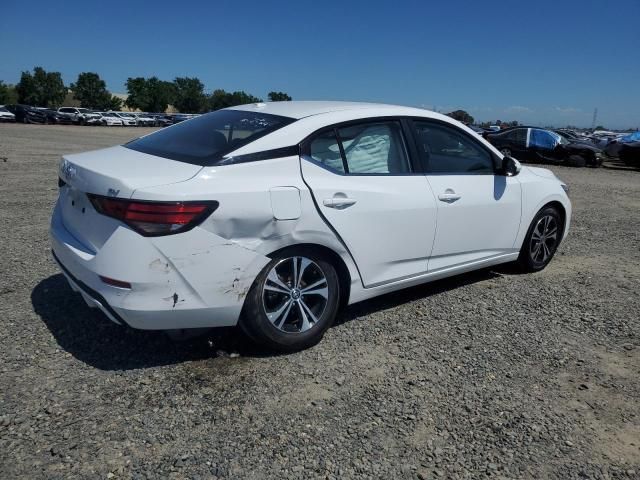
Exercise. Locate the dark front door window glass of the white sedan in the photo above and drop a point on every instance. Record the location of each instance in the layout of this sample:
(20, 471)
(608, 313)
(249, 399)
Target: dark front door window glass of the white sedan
(447, 150)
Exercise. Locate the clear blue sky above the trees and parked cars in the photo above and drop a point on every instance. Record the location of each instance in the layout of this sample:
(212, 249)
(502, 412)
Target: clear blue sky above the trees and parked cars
(537, 62)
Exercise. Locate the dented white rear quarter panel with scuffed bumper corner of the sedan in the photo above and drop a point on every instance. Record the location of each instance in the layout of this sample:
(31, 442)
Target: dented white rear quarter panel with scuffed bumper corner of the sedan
(228, 250)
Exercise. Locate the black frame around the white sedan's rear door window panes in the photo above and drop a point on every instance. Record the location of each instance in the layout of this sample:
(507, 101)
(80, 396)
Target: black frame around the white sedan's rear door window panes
(405, 133)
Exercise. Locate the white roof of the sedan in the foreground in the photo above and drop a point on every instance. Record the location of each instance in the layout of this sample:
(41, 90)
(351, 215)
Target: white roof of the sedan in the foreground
(307, 108)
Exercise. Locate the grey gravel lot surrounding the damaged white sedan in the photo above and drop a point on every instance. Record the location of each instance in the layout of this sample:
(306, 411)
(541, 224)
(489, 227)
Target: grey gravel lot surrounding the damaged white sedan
(490, 374)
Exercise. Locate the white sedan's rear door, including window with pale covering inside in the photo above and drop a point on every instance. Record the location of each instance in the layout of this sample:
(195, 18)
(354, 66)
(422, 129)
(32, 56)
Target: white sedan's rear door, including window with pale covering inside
(367, 189)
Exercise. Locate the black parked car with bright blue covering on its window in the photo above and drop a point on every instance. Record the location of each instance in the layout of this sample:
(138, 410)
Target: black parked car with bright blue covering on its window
(532, 144)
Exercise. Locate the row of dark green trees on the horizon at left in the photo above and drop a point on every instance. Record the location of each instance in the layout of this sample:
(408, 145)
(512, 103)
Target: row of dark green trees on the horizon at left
(186, 94)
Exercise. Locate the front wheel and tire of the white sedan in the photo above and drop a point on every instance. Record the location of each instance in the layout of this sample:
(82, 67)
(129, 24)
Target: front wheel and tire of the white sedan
(542, 240)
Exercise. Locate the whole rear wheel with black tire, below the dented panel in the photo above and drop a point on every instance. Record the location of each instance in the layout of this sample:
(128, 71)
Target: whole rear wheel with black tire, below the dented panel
(292, 302)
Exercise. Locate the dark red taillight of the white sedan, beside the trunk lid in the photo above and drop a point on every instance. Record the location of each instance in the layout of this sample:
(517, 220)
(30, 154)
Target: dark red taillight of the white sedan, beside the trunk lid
(154, 218)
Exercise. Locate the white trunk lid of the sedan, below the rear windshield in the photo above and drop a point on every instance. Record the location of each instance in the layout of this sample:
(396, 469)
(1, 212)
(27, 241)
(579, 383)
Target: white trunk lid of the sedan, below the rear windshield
(114, 172)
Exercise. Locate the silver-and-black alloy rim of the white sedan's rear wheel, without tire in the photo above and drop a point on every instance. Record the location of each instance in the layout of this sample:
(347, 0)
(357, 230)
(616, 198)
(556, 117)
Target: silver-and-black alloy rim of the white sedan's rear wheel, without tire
(295, 294)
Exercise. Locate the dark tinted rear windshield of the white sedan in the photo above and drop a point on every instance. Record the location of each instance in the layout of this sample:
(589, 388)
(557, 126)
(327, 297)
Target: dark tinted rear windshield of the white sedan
(204, 140)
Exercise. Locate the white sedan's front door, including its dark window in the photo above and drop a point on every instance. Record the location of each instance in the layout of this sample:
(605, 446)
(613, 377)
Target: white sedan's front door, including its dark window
(479, 209)
